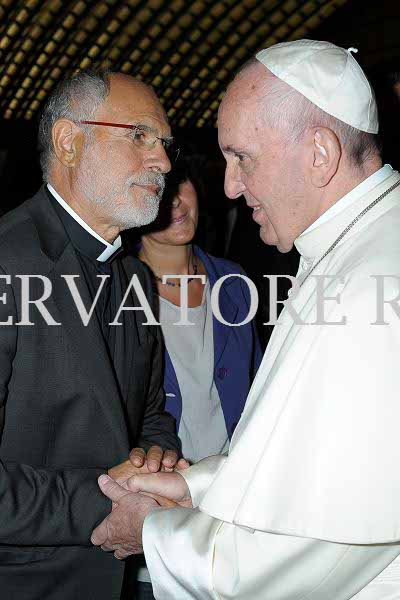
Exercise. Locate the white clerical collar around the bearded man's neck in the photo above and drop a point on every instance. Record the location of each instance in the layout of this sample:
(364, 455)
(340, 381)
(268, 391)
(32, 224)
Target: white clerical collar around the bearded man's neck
(83, 237)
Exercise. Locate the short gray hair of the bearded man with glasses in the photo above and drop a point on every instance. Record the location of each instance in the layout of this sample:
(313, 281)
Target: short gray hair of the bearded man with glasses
(76, 97)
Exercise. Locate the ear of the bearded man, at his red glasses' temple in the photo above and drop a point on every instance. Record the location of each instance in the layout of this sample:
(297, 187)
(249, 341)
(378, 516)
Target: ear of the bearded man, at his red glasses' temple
(67, 142)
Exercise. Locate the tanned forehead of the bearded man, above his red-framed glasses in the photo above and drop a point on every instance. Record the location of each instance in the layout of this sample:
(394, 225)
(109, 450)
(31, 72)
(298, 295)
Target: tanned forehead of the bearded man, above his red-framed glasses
(130, 100)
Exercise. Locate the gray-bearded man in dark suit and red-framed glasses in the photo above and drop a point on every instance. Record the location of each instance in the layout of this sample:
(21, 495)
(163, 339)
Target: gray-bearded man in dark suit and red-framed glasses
(75, 398)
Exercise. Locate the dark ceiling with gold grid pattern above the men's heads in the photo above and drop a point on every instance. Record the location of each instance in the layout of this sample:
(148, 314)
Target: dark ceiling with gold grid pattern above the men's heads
(188, 50)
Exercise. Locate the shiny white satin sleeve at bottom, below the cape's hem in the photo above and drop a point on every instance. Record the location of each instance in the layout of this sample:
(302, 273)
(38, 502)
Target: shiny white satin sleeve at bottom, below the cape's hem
(192, 556)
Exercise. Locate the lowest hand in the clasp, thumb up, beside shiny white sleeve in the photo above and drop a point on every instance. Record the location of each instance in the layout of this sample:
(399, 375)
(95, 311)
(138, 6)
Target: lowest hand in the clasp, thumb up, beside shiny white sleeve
(121, 530)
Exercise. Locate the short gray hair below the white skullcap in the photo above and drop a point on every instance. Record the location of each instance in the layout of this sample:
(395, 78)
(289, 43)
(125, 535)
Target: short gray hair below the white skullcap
(291, 112)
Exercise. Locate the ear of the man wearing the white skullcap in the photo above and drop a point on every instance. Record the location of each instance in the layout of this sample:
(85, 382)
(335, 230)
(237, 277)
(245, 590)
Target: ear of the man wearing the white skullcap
(326, 156)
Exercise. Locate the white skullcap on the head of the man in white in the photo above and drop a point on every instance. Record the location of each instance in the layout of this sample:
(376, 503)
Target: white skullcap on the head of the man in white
(328, 76)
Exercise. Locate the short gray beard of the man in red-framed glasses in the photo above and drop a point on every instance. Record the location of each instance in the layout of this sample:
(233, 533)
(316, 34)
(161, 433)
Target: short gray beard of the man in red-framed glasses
(128, 215)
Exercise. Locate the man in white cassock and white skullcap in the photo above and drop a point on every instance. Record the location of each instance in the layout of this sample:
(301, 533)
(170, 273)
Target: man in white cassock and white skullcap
(306, 506)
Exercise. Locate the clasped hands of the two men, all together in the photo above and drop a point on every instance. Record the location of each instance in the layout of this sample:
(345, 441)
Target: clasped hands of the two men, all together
(136, 486)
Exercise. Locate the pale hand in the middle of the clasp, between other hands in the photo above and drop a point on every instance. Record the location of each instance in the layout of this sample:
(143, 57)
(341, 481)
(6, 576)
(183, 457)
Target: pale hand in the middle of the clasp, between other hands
(165, 485)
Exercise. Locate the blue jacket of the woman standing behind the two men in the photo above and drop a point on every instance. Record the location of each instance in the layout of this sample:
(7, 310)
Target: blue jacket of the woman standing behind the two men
(237, 351)
